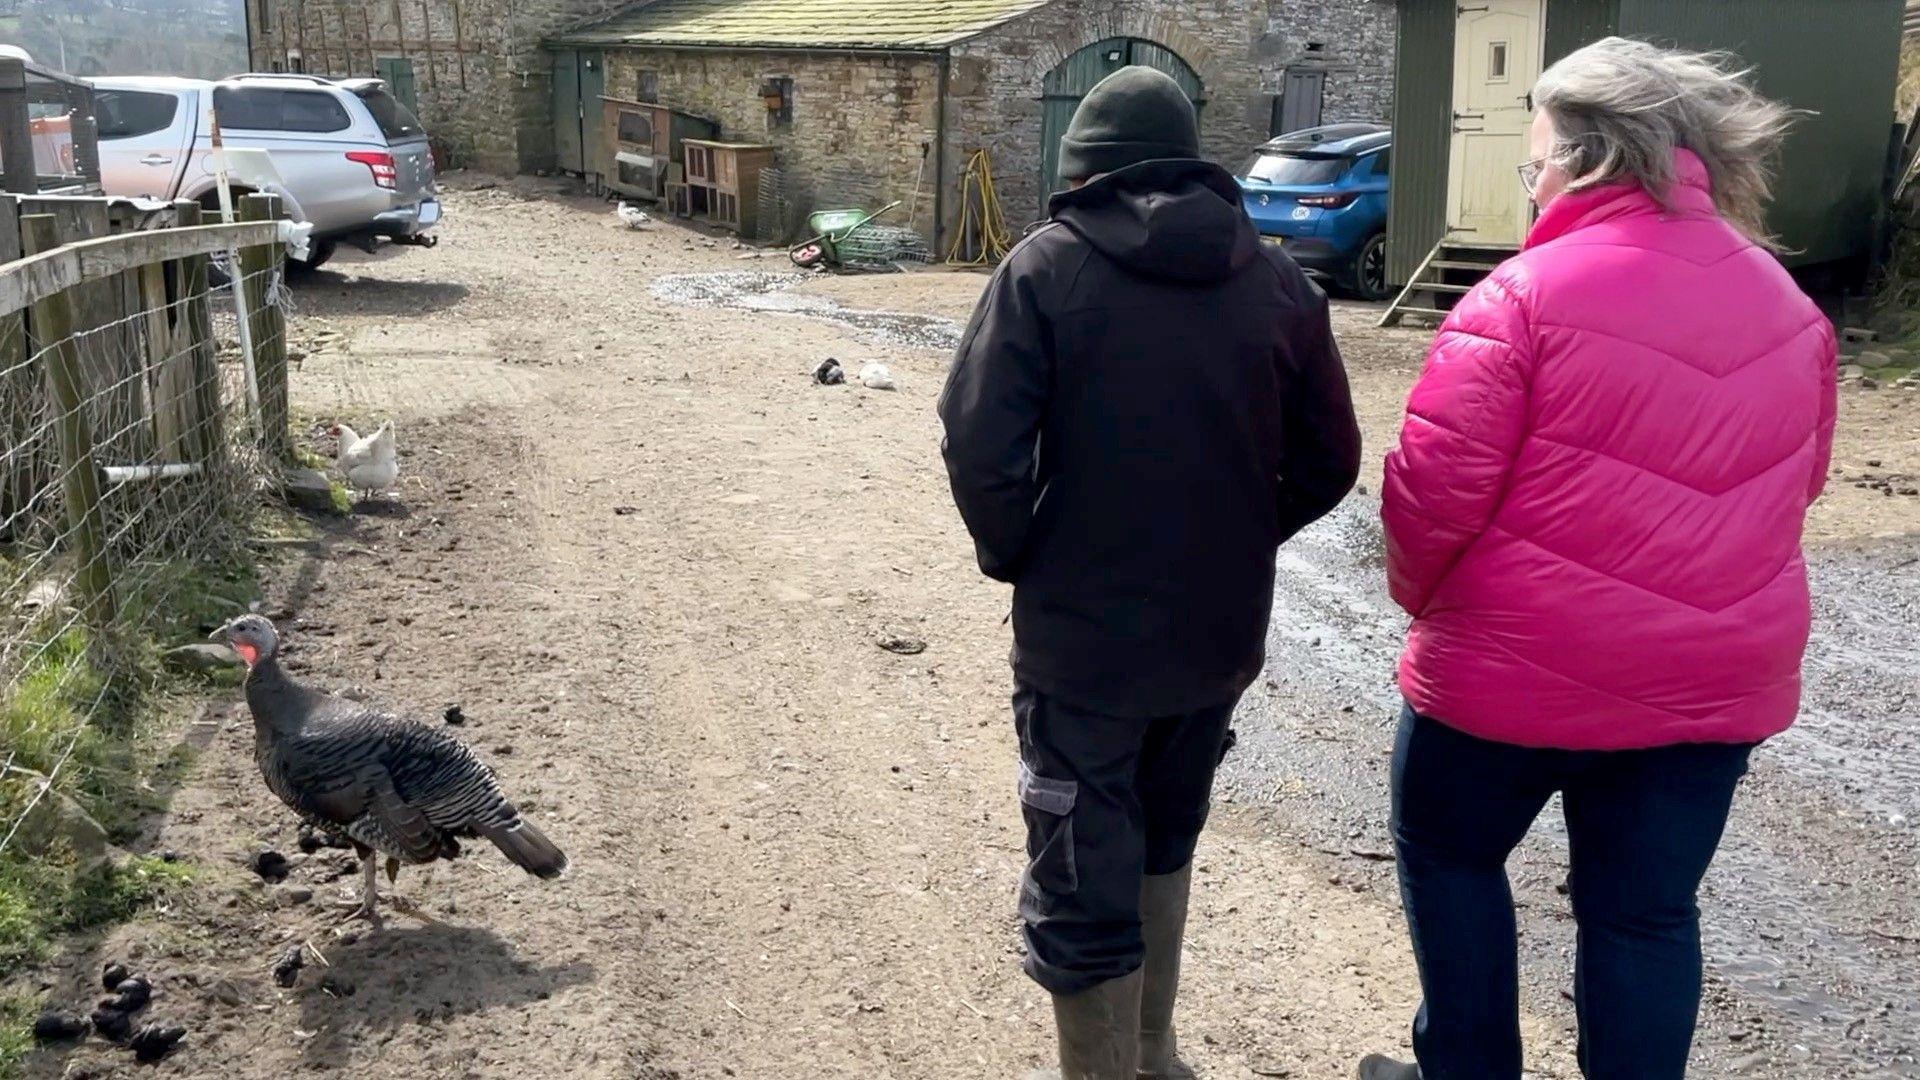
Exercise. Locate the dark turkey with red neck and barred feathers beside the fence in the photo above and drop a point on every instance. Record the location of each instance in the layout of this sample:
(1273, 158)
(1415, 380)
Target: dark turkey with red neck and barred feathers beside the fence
(391, 785)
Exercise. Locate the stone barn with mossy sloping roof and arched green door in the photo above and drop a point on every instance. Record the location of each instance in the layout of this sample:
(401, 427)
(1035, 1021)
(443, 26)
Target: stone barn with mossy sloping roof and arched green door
(878, 101)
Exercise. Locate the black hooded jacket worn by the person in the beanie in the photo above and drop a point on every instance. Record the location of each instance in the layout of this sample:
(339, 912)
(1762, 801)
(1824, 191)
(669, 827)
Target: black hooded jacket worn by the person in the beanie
(1145, 406)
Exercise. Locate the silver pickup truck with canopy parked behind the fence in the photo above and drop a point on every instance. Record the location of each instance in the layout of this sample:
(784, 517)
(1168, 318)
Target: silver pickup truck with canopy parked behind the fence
(352, 159)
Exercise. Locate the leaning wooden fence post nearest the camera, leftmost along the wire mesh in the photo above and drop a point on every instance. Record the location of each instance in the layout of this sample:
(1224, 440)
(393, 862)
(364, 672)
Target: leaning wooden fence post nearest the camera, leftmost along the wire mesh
(80, 474)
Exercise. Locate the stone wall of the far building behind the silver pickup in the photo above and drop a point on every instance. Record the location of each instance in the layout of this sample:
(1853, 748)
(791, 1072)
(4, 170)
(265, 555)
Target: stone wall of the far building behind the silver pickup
(481, 78)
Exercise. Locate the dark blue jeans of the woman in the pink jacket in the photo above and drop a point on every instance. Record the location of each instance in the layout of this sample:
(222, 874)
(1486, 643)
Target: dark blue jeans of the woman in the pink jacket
(1643, 827)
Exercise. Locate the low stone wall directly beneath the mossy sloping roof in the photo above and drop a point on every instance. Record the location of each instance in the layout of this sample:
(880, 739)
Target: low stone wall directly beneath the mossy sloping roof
(857, 132)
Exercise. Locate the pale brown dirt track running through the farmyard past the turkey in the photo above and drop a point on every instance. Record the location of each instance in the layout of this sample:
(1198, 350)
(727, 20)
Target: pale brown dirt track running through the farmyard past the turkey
(652, 562)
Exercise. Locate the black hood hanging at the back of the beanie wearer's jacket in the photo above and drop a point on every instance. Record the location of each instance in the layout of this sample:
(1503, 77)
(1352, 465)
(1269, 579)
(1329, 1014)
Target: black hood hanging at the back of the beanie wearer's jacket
(1172, 220)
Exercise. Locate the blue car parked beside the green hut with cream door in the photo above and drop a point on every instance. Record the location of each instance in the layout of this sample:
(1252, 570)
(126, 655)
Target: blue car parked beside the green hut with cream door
(1322, 195)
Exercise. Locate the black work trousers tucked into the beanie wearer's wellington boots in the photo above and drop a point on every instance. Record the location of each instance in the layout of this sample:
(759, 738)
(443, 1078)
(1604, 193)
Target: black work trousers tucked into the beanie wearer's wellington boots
(1107, 800)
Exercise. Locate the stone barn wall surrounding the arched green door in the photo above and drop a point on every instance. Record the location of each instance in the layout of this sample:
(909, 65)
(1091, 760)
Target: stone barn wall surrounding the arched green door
(1241, 53)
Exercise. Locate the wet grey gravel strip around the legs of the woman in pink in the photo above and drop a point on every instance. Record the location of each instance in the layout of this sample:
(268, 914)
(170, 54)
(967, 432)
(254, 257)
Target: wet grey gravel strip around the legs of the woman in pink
(1810, 912)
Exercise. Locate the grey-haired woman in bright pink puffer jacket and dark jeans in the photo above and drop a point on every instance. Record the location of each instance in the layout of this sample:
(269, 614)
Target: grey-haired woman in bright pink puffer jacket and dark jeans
(1595, 520)
